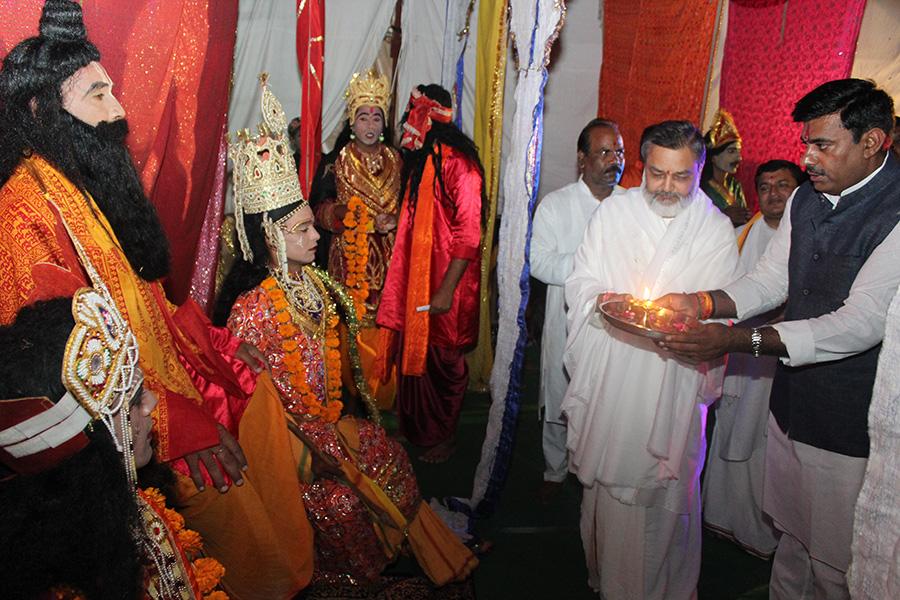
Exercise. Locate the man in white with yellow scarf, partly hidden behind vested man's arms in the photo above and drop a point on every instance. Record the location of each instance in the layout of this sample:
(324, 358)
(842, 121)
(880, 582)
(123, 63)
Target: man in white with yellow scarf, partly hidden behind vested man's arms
(733, 481)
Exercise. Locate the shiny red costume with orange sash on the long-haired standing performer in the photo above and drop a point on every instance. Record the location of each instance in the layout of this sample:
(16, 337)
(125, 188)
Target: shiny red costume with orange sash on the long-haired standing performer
(428, 403)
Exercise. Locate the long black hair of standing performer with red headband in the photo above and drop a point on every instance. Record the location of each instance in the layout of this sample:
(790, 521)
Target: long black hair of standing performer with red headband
(447, 134)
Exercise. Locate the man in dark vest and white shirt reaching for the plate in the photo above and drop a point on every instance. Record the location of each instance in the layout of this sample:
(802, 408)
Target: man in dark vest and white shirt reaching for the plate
(834, 260)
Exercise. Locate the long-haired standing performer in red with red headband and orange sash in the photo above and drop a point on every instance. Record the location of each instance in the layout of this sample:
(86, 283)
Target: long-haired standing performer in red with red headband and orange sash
(430, 295)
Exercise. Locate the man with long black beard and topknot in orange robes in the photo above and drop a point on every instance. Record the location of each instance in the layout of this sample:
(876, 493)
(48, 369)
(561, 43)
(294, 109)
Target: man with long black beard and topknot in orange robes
(68, 181)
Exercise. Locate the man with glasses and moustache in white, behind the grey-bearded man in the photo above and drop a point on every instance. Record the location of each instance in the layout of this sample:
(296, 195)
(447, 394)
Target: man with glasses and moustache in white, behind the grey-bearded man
(559, 223)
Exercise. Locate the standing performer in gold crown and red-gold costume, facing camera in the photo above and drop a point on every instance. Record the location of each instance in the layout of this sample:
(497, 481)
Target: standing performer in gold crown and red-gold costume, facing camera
(360, 192)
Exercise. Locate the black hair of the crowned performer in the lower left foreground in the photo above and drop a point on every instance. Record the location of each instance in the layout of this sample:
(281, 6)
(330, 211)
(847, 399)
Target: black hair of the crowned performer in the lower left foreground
(72, 524)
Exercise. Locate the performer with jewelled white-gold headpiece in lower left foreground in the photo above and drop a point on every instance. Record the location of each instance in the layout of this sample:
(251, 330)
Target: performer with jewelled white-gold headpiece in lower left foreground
(74, 428)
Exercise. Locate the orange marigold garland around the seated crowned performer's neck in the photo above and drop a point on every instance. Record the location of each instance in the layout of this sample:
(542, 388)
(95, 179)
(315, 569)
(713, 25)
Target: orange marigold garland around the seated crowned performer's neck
(293, 354)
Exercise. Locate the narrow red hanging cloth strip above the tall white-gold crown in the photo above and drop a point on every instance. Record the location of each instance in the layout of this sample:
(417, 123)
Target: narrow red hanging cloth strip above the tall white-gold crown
(310, 57)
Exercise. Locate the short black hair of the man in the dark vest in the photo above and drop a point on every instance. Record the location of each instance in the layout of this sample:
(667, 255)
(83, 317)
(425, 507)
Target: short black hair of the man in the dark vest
(862, 106)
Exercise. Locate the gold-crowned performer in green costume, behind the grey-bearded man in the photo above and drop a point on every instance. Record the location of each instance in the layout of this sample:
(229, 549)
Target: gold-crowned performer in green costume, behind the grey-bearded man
(723, 157)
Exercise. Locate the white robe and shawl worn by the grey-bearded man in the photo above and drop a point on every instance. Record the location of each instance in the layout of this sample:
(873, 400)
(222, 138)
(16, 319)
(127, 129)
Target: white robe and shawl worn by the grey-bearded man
(636, 415)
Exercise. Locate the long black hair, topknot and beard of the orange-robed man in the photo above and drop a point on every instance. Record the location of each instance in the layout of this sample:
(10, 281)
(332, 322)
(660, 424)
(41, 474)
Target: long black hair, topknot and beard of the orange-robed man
(94, 159)
